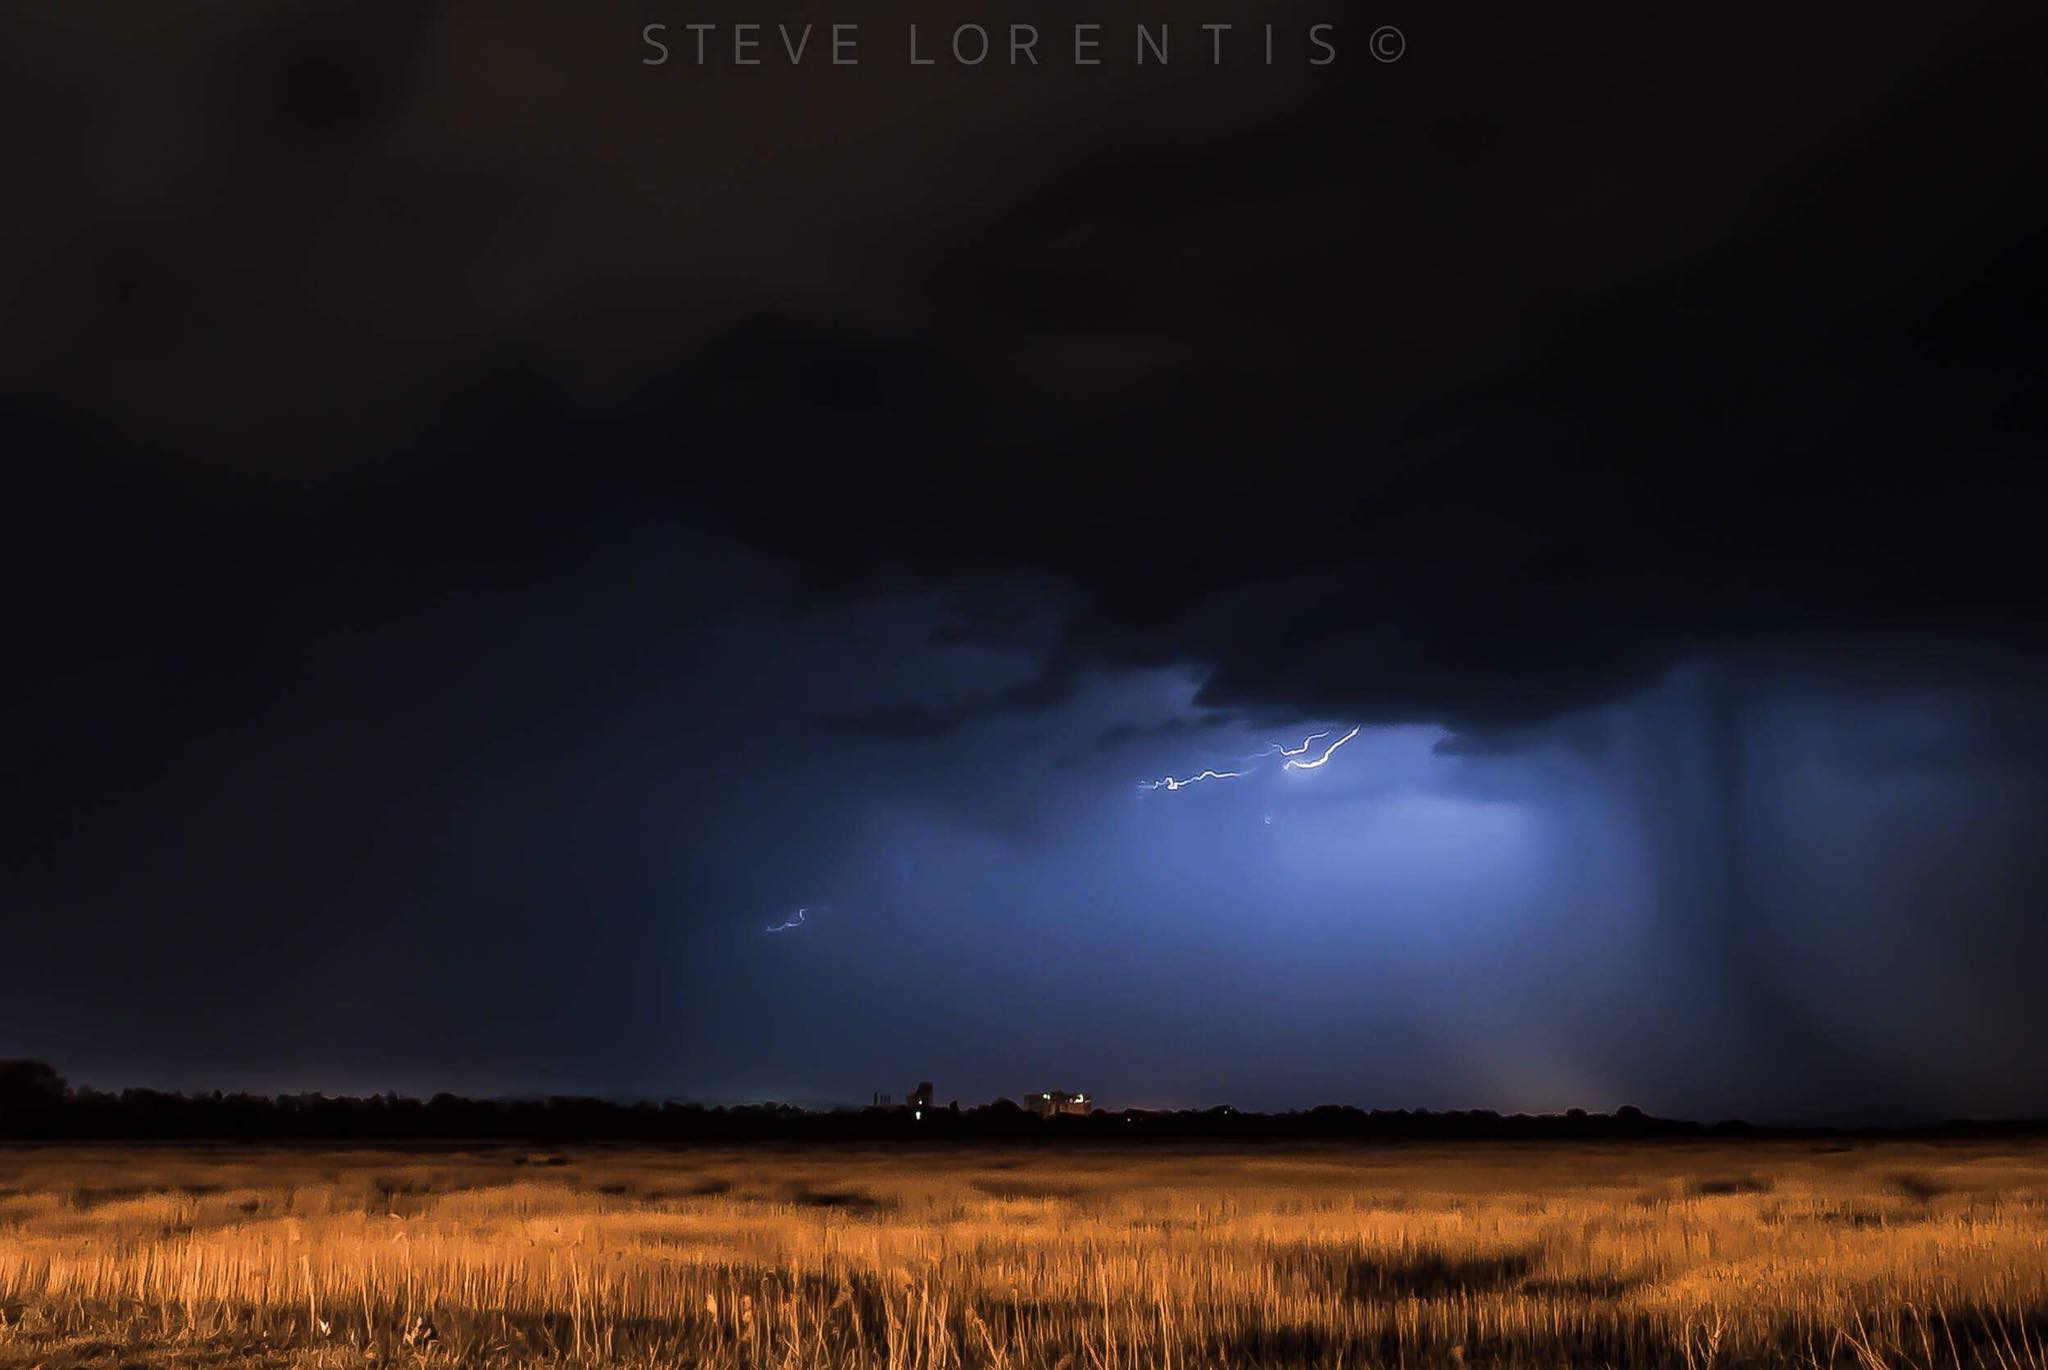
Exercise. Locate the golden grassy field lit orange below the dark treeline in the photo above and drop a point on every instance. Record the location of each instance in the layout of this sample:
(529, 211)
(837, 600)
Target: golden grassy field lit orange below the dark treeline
(1095, 1256)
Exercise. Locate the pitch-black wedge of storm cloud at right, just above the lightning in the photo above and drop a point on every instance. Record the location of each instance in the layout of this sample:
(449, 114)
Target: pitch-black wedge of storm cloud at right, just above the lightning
(1748, 452)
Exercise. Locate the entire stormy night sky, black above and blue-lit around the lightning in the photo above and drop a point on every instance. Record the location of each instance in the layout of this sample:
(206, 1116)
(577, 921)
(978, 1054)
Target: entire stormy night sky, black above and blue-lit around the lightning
(497, 529)
